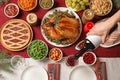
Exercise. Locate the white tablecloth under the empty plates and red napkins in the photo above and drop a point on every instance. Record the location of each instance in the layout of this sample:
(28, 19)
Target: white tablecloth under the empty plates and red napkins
(112, 65)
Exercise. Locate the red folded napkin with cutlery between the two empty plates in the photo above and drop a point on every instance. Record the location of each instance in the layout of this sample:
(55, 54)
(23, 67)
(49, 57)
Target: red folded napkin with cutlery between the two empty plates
(53, 69)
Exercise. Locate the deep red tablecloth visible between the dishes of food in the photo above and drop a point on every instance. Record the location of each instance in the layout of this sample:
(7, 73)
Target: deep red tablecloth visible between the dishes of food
(100, 52)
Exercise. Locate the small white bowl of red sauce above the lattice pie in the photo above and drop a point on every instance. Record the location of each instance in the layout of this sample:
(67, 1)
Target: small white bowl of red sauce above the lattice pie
(9, 7)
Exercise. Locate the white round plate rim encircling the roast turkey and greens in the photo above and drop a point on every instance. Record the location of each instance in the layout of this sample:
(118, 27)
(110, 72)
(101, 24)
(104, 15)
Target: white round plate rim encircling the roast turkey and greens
(61, 9)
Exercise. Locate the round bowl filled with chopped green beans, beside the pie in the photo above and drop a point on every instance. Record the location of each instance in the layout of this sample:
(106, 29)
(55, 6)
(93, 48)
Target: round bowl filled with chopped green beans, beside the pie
(37, 50)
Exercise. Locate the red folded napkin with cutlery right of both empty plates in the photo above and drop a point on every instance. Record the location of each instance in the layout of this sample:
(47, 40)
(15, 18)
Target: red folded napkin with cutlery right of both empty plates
(100, 70)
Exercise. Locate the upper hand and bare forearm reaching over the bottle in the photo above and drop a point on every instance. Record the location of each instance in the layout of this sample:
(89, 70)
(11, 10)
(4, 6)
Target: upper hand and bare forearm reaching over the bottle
(102, 28)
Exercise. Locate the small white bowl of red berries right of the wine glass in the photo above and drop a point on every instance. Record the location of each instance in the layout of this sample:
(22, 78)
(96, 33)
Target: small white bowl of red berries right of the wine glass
(89, 58)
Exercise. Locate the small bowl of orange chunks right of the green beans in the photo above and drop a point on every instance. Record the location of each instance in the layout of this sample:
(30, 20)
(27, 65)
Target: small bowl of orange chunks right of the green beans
(55, 54)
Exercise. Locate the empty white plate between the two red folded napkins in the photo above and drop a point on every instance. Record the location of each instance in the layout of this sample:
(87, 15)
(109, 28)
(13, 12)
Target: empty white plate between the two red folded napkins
(82, 73)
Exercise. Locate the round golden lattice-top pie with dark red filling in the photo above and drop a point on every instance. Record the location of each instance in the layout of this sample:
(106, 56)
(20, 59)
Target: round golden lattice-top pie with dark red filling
(16, 34)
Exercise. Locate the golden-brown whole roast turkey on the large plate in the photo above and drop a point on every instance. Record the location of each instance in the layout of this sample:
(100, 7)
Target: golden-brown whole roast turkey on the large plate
(63, 27)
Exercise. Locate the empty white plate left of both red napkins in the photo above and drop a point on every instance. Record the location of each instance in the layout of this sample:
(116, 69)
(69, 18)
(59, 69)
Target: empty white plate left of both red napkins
(34, 73)
